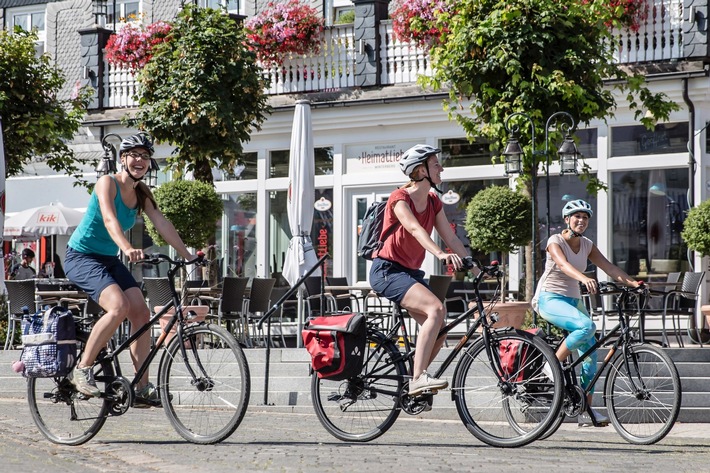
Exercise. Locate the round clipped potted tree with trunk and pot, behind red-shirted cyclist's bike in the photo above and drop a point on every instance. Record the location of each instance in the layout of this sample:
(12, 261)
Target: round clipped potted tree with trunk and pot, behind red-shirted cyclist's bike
(498, 219)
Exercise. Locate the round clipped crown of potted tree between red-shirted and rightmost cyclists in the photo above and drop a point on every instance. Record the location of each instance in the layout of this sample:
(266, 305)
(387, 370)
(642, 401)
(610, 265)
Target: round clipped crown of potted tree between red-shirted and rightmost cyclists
(498, 219)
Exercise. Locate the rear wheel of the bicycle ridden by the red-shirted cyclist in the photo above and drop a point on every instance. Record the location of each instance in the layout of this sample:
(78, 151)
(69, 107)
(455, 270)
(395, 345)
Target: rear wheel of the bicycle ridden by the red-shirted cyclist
(363, 408)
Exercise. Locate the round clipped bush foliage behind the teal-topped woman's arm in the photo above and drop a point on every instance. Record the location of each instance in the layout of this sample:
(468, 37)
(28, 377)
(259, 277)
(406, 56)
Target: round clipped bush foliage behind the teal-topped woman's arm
(193, 207)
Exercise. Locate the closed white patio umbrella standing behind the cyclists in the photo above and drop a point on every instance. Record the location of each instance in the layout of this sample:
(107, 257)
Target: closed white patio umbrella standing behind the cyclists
(300, 256)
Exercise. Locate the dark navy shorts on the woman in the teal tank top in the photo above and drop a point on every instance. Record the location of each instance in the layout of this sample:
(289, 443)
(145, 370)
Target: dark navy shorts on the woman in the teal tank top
(94, 273)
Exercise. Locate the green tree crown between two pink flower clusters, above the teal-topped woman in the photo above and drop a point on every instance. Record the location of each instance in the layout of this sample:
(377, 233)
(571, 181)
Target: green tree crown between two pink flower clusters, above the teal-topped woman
(202, 92)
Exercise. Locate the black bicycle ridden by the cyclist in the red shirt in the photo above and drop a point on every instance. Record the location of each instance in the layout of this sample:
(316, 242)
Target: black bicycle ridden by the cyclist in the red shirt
(493, 397)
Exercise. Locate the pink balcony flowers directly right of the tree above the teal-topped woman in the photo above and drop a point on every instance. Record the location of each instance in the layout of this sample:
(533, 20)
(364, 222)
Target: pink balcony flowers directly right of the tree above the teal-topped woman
(283, 29)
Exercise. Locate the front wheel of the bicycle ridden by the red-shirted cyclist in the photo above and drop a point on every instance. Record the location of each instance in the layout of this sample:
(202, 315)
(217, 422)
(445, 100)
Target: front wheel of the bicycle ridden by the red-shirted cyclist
(511, 412)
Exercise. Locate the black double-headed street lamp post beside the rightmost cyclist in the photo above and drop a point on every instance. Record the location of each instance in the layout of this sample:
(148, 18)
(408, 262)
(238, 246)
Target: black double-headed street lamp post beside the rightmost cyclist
(513, 163)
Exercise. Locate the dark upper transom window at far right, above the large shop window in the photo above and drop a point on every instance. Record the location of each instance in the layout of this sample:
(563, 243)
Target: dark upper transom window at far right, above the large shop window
(636, 140)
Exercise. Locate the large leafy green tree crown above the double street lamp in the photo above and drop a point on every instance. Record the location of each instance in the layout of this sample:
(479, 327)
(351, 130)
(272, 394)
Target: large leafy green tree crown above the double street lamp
(536, 57)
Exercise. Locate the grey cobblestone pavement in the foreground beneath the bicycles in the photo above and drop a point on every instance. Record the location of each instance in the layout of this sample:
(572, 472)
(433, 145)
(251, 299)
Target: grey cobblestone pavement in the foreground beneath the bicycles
(272, 440)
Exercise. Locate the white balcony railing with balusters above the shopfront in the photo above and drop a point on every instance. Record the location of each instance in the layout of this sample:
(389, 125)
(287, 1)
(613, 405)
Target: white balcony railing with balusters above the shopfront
(659, 38)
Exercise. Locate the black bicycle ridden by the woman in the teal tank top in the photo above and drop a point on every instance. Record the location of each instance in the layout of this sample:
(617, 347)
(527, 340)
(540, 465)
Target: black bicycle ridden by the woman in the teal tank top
(203, 379)
